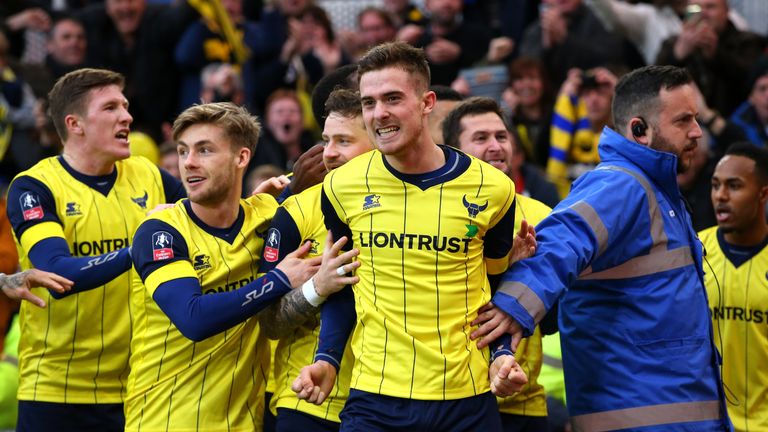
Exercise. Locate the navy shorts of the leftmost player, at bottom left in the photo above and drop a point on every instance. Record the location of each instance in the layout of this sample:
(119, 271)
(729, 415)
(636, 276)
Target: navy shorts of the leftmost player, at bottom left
(47, 416)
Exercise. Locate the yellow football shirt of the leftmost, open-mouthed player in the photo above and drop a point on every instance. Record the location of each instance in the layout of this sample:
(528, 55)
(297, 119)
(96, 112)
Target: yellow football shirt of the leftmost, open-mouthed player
(76, 350)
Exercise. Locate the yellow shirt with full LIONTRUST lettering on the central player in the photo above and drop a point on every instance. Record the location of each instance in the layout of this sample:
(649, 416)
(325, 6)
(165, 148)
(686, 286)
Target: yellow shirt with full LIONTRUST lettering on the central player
(426, 245)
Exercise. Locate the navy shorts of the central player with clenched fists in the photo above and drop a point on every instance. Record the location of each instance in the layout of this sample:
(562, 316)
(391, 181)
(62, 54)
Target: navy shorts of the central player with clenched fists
(369, 412)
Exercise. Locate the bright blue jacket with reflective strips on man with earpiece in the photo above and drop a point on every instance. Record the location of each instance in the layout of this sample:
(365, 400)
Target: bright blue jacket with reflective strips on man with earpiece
(621, 255)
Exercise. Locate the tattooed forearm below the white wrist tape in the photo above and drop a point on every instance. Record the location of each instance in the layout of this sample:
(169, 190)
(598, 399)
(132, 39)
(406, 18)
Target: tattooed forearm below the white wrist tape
(286, 315)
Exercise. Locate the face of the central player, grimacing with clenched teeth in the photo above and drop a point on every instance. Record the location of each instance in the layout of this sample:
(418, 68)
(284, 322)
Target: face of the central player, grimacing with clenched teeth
(394, 109)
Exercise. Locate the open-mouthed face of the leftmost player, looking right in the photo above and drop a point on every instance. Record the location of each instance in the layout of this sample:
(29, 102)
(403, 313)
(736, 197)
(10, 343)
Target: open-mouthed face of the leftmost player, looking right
(106, 123)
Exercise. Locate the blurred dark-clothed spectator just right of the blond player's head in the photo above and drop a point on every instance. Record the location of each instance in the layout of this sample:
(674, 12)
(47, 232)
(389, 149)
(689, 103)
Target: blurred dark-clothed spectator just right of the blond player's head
(284, 138)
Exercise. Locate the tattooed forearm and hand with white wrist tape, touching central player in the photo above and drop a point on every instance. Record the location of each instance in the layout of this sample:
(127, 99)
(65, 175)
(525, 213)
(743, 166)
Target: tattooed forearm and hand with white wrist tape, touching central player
(294, 308)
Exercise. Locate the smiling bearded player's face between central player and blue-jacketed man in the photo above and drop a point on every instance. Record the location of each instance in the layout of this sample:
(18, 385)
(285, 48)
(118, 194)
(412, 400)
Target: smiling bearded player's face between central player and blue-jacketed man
(485, 137)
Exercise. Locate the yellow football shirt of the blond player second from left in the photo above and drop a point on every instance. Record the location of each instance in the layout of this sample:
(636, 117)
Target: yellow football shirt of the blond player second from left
(217, 383)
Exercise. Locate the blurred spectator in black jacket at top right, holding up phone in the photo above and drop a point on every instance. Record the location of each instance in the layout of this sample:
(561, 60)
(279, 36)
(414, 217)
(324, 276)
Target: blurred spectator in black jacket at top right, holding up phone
(717, 54)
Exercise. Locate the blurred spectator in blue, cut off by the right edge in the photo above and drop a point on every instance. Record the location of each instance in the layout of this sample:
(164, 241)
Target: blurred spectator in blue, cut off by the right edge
(752, 115)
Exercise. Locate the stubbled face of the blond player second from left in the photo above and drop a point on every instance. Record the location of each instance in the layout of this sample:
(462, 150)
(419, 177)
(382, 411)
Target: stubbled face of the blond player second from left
(207, 164)
